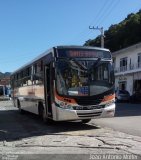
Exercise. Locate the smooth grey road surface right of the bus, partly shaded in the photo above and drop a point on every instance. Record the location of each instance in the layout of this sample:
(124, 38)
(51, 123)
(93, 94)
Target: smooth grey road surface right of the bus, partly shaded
(127, 119)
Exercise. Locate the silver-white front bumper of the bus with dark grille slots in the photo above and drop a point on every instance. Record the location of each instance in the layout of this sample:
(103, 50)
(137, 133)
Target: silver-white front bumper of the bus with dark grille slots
(66, 114)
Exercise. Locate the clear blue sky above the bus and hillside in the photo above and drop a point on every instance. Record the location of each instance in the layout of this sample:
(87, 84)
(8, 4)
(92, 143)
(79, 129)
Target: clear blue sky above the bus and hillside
(30, 27)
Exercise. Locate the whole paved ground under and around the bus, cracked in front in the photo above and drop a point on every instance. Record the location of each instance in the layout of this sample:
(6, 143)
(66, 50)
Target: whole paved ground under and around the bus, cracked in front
(25, 135)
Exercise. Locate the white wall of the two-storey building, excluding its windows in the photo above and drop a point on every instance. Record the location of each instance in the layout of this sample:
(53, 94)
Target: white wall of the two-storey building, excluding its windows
(130, 75)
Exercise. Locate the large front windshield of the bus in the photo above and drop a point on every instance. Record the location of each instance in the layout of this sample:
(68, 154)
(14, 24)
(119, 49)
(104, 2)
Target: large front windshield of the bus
(84, 77)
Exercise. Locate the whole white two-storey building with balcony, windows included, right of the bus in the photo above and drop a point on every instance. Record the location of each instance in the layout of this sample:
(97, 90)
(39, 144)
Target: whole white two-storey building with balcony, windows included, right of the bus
(127, 63)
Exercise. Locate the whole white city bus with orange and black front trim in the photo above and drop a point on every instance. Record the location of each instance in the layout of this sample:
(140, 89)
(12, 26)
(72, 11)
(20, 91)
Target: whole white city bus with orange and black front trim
(66, 83)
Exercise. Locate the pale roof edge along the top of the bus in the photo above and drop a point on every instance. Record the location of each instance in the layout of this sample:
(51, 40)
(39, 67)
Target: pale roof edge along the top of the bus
(57, 47)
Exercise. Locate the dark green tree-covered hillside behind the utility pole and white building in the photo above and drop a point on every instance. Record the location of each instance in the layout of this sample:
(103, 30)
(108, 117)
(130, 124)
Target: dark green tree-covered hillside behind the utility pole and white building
(124, 34)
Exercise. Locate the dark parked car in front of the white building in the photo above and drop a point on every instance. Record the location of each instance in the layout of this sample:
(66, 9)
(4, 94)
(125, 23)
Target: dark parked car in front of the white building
(122, 95)
